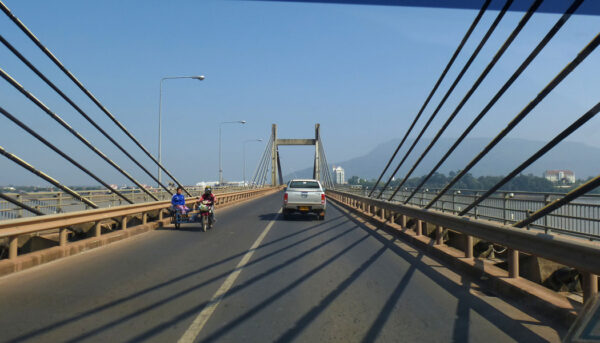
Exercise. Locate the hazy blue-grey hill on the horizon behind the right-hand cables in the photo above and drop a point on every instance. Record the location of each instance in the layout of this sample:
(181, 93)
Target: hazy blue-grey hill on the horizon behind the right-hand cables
(582, 159)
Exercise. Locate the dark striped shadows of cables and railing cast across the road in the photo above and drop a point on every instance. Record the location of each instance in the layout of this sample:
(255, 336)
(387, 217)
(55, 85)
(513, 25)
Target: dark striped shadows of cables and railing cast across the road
(466, 301)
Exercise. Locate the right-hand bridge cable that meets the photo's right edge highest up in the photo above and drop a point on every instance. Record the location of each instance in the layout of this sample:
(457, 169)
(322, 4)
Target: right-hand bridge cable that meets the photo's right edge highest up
(557, 80)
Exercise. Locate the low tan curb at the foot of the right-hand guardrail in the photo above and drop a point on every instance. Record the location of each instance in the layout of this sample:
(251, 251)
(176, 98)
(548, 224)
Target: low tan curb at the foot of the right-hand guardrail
(490, 276)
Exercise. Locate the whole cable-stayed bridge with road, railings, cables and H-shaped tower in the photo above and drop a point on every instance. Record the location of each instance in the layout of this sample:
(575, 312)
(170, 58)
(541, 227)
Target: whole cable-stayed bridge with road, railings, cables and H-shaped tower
(389, 263)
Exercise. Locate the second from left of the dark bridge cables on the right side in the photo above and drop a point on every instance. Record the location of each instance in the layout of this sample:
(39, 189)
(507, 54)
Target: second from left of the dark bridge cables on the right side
(456, 81)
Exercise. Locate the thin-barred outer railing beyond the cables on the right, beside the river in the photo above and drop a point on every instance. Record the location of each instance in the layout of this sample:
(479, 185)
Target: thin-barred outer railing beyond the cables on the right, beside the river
(579, 218)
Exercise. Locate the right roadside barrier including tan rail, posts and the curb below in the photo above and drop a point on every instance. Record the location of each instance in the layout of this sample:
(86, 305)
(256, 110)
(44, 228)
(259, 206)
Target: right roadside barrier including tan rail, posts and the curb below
(574, 252)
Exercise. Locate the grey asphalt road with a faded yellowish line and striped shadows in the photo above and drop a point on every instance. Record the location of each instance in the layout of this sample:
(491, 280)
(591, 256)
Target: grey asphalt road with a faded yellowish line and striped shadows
(308, 281)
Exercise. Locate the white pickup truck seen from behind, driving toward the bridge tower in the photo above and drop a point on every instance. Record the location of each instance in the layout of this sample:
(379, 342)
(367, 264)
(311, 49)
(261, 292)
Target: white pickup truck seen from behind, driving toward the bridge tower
(304, 196)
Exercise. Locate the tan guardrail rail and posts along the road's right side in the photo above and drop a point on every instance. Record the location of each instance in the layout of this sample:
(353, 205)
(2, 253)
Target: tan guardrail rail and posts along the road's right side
(570, 251)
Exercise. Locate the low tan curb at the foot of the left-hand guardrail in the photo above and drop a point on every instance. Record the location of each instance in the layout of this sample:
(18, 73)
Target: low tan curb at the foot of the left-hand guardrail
(40, 257)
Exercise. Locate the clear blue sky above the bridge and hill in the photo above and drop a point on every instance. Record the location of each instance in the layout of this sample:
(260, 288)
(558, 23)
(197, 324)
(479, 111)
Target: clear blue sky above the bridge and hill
(361, 71)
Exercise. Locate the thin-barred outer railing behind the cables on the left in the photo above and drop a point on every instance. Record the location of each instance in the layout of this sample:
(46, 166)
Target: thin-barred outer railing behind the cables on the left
(60, 202)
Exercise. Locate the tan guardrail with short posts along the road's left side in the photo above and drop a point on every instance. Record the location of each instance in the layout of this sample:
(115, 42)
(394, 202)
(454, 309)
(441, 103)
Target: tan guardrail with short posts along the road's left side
(11, 230)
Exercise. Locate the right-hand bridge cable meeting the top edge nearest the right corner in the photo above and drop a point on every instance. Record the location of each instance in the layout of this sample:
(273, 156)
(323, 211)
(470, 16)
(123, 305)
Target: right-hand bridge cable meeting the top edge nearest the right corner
(534, 53)
